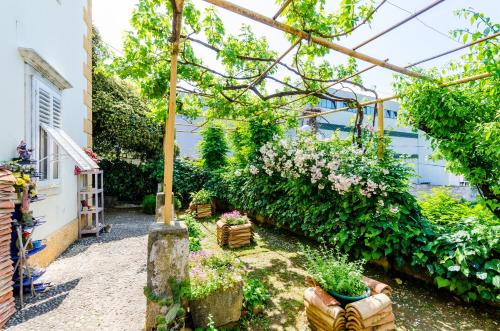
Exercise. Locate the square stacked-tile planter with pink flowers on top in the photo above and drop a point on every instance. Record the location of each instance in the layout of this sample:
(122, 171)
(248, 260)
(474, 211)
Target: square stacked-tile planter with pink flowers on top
(234, 229)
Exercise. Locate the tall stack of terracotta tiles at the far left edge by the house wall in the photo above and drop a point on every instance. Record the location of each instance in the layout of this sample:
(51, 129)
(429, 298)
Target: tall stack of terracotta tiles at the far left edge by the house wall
(7, 197)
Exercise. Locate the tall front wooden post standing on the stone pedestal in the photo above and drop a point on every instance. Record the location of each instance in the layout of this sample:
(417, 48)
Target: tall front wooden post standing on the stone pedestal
(168, 139)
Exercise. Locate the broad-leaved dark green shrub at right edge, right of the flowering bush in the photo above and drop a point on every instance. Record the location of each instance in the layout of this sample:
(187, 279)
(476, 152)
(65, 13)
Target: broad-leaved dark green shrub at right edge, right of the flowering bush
(463, 259)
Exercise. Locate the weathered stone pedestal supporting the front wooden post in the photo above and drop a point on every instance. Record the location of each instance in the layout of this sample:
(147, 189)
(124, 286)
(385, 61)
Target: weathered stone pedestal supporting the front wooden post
(168, 253)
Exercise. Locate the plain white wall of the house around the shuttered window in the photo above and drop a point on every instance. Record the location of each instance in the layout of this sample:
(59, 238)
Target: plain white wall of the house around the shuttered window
(55, 30)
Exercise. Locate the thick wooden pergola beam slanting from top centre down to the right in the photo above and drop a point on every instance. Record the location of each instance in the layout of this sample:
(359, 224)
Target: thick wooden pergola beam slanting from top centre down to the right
(304, 35)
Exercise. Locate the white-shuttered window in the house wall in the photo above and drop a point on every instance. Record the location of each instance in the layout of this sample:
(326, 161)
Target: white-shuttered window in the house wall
(47, 109)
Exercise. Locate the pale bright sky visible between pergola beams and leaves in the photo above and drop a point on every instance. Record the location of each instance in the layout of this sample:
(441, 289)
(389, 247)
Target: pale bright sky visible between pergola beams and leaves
(413, 41)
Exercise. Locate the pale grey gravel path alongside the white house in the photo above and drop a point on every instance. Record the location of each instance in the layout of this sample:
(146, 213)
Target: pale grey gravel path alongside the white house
(97, 283)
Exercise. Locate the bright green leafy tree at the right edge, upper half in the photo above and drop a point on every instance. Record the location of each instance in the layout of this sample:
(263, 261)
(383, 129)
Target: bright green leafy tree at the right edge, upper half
(463, 121)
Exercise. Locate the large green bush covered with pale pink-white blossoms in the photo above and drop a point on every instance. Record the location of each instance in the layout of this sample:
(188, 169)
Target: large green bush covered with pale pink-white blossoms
(330, 191)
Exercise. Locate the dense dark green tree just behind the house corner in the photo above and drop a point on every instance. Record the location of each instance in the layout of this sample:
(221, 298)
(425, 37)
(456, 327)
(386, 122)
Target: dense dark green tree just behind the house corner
(123, 124)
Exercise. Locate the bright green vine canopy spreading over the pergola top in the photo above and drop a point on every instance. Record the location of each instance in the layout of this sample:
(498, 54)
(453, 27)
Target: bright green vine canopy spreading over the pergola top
(233, 91)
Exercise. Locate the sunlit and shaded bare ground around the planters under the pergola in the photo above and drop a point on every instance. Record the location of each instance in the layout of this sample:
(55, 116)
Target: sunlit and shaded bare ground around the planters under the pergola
(274, 259)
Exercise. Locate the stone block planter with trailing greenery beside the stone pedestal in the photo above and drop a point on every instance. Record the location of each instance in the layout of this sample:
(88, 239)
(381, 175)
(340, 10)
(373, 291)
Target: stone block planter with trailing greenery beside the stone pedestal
(216, 288)
